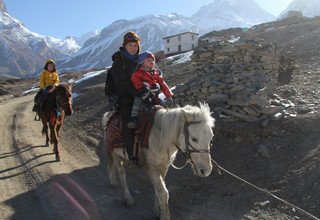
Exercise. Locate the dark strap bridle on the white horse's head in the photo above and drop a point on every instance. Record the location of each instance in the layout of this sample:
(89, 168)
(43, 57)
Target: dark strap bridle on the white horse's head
(189, 148)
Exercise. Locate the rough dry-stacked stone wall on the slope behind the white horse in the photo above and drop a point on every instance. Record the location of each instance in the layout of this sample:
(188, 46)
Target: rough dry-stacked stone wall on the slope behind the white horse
(235, 78)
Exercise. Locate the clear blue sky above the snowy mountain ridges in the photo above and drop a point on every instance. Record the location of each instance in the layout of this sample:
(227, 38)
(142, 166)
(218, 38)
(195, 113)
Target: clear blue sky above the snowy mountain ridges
(60, 18)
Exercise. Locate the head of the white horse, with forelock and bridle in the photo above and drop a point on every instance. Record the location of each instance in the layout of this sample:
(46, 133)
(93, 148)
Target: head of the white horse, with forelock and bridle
(196, 137)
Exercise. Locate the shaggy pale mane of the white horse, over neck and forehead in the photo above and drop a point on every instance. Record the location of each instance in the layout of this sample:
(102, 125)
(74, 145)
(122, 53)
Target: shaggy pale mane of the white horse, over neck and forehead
(168, 124)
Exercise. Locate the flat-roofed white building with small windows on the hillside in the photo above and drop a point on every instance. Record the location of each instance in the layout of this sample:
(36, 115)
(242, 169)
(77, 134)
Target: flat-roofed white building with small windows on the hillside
(180, 43)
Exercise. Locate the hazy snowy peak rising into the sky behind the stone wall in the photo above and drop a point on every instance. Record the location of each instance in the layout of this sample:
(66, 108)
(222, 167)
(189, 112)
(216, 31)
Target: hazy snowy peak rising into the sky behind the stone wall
(223, 14)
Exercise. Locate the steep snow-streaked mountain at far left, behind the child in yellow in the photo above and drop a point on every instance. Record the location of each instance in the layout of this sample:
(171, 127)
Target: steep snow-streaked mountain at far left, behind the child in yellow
(22, 52)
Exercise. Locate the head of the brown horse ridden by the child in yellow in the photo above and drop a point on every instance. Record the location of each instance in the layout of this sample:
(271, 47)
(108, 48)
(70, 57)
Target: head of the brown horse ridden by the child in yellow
(65, 97)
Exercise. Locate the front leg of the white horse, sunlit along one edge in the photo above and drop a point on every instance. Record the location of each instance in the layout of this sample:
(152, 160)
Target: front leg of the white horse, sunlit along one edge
(162, 194)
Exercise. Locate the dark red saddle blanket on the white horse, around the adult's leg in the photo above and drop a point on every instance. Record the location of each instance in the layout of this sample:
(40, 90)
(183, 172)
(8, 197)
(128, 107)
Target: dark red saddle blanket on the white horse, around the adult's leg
(113, 130)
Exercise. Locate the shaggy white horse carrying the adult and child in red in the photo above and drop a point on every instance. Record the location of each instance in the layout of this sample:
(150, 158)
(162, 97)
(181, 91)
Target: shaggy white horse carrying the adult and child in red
(187, 129)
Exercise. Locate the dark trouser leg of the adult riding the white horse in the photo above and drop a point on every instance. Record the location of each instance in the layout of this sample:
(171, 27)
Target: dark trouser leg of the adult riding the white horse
(125, 106)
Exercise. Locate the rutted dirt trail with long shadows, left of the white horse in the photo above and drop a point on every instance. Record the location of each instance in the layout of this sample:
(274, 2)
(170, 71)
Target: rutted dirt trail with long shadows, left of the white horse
(34, 186)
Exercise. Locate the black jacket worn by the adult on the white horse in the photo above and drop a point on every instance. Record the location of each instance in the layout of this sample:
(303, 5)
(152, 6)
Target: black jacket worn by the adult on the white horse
(121, 72)
